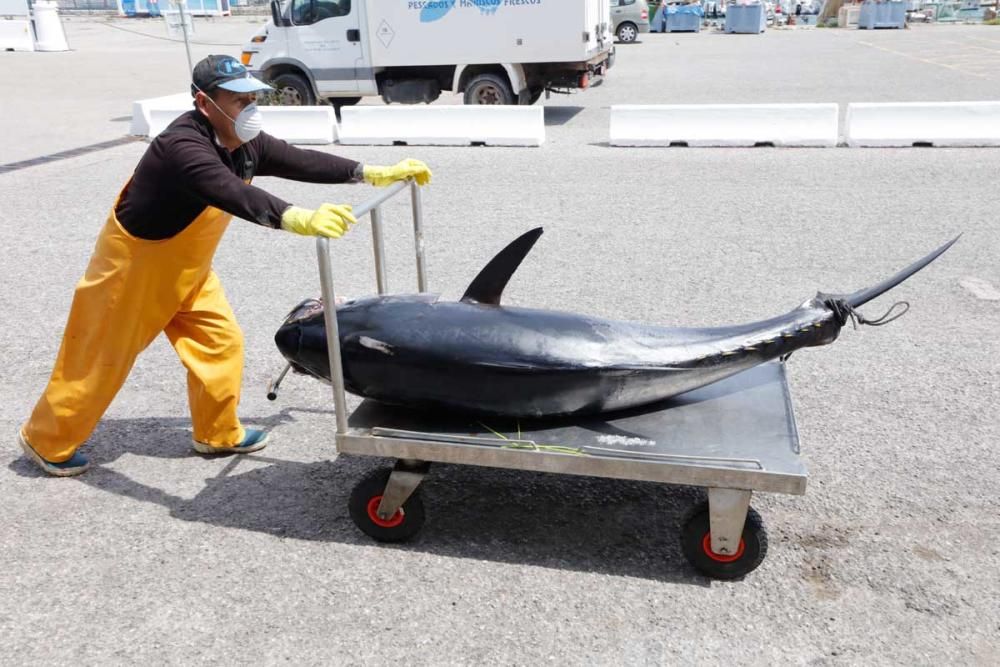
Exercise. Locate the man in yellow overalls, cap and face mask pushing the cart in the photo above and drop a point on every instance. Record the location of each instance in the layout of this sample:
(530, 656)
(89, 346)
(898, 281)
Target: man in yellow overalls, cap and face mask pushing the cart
(151, 270)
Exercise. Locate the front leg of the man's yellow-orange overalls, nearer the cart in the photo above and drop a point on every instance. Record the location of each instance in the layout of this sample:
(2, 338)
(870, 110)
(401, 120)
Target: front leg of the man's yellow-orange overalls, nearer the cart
(209, 343)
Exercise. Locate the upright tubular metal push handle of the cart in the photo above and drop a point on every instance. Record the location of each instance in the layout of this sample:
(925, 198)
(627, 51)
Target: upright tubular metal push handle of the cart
(373, 207)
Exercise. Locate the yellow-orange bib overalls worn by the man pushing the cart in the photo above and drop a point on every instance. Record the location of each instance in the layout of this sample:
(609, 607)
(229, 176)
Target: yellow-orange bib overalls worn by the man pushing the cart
(134, 289)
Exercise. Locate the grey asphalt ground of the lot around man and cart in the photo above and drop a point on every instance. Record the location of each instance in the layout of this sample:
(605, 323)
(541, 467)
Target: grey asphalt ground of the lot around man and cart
(160, 555)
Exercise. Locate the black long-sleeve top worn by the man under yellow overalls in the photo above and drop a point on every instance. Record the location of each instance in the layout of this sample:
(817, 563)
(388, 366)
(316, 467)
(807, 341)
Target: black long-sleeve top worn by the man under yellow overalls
(185, 169)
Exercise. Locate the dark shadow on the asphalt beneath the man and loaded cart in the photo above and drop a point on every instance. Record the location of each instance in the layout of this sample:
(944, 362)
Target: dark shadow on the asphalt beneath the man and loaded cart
(585, 524)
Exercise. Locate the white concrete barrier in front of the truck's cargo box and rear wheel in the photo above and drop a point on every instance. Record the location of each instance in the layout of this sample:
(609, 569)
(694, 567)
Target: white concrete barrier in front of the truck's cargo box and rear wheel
(443, 125)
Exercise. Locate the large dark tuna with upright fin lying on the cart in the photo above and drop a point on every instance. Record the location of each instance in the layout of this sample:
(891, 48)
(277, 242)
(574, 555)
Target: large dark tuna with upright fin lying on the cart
(477, 356)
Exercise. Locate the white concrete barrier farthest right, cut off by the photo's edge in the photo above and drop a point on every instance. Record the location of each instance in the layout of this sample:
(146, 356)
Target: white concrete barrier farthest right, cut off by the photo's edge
(924, 123)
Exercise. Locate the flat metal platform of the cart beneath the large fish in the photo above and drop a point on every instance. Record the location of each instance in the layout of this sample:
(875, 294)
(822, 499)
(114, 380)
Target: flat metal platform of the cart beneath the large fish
(738, 433)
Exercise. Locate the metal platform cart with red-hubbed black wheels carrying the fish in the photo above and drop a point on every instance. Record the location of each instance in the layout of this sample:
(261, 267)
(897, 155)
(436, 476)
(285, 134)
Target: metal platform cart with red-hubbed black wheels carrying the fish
(733, 437)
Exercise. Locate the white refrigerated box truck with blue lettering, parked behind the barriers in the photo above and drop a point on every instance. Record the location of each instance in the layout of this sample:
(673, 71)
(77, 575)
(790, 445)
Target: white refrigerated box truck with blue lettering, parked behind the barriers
(409, 51)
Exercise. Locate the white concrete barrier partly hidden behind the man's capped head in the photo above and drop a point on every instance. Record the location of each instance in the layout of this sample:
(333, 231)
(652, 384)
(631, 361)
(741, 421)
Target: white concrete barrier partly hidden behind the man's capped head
(296, 125)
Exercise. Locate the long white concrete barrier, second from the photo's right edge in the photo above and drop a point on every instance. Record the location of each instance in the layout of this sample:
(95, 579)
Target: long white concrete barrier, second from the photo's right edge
(725, 125)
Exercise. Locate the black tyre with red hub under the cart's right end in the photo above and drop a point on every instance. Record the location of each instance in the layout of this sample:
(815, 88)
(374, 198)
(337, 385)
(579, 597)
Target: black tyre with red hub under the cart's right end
(696, 541)
